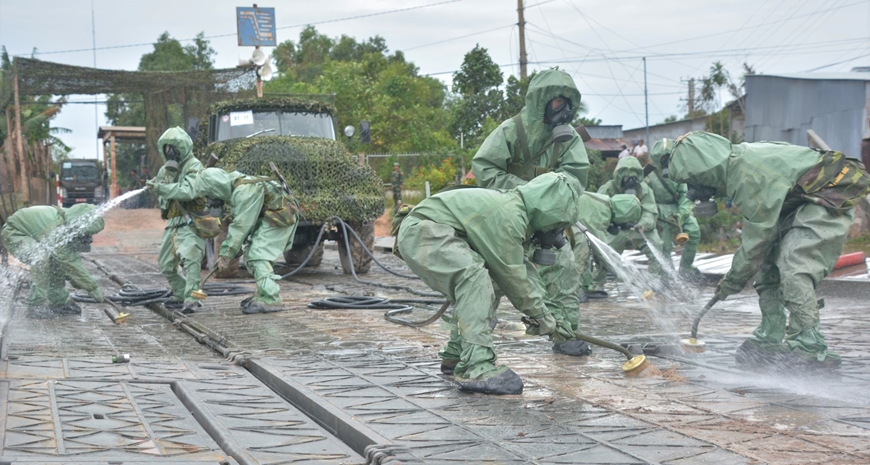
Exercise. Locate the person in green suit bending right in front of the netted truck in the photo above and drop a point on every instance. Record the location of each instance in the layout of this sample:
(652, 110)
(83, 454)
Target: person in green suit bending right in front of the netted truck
(261, 210)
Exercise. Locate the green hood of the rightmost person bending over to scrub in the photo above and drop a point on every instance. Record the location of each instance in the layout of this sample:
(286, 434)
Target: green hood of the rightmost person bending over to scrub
(701, 158)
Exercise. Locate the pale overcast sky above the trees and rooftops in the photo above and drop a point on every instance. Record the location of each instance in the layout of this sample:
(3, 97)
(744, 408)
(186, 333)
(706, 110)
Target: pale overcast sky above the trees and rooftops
(600, 43)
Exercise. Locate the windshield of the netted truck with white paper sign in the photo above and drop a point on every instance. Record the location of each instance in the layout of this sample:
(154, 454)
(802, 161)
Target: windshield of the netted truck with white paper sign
(239, 124)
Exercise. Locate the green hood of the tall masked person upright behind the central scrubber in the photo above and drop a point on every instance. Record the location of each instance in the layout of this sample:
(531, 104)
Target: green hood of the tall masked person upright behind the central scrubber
(546, 86)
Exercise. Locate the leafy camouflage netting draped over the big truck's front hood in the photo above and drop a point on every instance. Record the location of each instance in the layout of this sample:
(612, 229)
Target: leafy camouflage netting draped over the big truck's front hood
(323, 176)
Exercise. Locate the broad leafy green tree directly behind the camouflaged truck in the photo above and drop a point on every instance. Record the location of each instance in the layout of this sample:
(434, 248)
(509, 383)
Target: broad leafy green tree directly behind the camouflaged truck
(406, 111)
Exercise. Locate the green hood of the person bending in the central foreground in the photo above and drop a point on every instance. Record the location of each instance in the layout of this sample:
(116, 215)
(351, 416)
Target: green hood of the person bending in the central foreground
(551, 201)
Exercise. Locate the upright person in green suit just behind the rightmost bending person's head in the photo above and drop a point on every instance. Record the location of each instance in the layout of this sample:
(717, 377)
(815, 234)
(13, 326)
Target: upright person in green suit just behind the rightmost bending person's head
(676, 211)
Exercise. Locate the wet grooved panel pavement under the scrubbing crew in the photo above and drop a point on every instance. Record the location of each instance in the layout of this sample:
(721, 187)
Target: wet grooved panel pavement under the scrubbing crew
(346, 386)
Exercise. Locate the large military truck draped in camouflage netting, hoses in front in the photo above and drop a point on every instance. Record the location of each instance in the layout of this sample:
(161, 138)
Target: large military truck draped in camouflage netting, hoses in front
(298, 134)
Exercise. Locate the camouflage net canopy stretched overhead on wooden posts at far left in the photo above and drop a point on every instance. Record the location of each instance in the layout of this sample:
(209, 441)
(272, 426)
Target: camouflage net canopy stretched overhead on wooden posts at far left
(194, 91)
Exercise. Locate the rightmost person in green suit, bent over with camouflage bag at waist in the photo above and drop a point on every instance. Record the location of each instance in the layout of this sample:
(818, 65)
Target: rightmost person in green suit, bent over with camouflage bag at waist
(796, 204)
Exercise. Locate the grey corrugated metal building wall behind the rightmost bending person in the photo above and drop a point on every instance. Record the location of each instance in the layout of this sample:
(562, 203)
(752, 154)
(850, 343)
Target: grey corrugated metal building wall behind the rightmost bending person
(834, 105)
